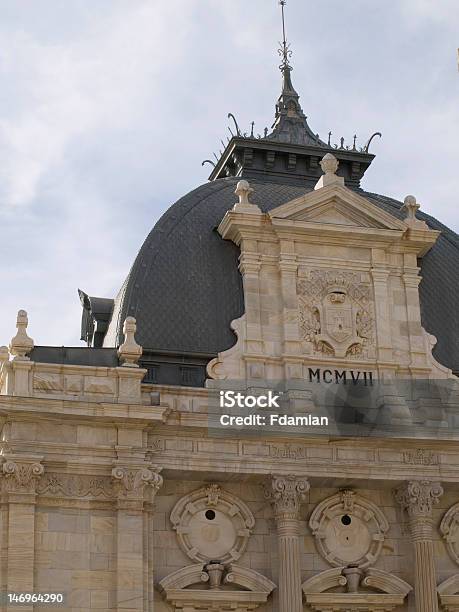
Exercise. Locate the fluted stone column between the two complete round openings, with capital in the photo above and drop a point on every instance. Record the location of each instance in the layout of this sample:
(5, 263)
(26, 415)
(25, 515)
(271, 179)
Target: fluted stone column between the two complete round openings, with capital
(286, 493)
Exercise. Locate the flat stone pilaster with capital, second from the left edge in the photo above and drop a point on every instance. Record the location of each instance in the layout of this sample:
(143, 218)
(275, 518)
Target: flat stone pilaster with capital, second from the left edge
(135, 487)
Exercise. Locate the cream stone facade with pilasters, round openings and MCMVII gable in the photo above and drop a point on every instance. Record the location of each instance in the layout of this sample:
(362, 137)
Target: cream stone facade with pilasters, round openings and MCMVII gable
(127, 503)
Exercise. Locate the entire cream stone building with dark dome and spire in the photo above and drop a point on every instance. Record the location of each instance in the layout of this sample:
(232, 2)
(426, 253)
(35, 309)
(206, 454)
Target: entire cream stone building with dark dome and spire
(123, 487)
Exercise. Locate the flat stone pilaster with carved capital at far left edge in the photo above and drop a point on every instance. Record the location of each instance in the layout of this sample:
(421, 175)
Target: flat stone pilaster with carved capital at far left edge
(21, 475)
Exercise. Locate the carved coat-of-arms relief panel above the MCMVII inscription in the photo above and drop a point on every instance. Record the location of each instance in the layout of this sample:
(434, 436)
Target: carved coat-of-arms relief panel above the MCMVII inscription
(336, 313)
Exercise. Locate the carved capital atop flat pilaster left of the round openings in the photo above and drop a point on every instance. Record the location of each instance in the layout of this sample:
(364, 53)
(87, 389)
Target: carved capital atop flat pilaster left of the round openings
(130, 482)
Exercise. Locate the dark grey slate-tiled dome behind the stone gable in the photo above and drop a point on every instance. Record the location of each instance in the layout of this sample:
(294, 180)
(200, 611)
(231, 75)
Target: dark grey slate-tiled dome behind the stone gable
(185, 288)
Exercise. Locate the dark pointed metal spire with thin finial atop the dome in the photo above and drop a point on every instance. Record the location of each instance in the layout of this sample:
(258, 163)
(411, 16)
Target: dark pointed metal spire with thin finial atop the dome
(290, 123)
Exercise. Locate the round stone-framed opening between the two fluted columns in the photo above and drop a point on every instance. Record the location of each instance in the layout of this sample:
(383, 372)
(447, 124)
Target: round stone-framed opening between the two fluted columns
(349, 530)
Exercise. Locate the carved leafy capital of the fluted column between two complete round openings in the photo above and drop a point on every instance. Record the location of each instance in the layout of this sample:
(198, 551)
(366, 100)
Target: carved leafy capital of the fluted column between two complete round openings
(286, 493)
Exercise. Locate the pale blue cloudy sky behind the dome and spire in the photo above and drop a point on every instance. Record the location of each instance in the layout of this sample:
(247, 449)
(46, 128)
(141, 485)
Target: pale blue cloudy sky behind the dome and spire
(107, 109)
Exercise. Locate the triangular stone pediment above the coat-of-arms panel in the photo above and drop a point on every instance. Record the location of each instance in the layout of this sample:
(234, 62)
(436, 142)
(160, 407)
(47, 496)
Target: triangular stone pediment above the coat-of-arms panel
(336, 205)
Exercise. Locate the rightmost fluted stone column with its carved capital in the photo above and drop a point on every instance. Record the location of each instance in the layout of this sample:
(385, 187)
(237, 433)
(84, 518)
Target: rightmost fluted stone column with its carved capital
(418, 497)
